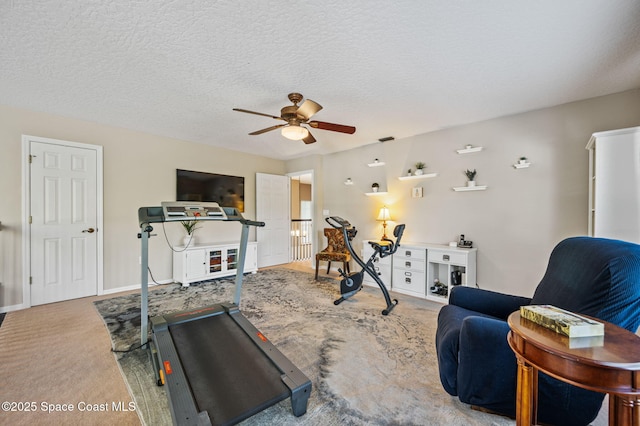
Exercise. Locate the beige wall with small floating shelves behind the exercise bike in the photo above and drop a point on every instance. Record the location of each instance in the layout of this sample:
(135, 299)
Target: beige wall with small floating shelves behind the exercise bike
(520, 217)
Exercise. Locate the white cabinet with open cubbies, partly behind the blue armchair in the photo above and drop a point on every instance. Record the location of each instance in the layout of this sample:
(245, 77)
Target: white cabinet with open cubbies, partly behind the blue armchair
(448, 267)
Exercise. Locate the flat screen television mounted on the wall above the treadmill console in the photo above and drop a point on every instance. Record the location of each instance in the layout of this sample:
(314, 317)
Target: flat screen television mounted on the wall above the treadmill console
(227, 191)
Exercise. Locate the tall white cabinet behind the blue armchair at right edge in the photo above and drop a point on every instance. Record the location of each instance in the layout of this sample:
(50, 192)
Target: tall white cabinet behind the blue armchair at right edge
(614, 186)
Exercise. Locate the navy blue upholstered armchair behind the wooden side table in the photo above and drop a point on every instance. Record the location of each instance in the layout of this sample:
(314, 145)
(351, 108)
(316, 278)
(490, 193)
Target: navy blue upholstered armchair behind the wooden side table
(592, 276)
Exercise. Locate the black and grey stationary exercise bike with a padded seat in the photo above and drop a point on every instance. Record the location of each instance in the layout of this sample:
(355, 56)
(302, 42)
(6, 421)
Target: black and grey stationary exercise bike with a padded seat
(352, 283)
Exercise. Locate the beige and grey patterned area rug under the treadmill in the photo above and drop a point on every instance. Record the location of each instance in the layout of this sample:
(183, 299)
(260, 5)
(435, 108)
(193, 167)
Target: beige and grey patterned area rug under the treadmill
(365, 368)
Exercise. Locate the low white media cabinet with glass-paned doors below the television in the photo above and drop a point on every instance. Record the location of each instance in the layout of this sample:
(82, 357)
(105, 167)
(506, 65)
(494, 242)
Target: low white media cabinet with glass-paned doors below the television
(200, 262)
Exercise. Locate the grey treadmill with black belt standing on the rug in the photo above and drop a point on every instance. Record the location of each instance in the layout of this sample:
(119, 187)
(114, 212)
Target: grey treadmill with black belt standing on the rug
(218, 368)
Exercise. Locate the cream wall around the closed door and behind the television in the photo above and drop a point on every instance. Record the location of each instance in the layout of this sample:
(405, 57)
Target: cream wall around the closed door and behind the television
(139, 170)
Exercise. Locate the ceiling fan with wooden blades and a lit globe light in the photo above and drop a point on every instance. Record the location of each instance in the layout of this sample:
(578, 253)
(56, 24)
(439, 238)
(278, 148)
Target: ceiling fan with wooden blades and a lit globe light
(295, 116)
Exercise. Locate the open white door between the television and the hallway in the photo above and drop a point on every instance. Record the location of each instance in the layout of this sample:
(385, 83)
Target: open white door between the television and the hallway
(272, 208)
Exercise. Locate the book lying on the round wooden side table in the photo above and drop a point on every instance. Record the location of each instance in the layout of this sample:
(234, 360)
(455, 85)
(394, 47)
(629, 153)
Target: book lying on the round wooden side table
(562, 321)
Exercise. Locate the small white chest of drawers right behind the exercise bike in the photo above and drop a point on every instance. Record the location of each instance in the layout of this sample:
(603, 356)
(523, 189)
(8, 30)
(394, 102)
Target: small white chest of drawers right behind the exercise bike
(409, 270)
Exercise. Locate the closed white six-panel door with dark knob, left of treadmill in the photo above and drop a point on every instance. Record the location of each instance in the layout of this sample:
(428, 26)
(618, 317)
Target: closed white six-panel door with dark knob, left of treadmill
(64, 222)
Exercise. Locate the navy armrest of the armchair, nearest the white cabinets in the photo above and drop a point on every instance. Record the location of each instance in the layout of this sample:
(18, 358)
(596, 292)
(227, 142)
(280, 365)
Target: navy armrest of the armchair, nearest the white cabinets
(498, 305)
